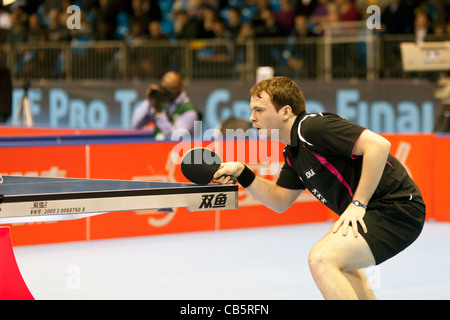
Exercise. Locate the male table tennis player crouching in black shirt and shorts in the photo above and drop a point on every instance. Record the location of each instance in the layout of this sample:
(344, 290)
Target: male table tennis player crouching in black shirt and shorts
(350, 170)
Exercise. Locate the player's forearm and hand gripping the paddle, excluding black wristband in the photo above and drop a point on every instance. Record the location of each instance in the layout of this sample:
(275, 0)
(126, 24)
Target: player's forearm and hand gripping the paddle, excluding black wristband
(267, 192)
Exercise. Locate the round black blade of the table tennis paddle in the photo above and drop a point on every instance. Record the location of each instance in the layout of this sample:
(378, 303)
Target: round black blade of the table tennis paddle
(199, 165)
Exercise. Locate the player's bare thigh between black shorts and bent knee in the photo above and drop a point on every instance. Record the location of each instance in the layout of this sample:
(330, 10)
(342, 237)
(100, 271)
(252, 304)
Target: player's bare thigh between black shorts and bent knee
(346, 252)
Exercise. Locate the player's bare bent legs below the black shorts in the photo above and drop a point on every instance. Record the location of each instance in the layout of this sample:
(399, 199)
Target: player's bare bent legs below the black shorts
(333, 262)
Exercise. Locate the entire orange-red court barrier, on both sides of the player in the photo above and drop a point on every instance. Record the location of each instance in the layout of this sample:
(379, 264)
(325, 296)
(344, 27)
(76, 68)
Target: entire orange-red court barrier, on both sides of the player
(424, 155)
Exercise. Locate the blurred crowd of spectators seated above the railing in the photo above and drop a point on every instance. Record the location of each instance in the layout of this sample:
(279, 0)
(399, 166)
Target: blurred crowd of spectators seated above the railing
(141, 20)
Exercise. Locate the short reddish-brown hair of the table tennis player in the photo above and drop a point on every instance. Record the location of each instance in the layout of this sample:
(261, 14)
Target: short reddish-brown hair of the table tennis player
(283, 91)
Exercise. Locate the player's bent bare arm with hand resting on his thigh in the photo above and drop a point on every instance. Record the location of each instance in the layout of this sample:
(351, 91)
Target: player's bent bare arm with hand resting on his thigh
(374, 149)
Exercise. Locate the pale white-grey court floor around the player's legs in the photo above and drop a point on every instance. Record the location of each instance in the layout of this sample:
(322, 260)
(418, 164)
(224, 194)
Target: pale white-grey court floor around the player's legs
(256, 264)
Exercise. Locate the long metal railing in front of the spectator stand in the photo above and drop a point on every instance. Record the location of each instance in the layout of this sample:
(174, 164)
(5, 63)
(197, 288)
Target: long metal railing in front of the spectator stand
(345, 50)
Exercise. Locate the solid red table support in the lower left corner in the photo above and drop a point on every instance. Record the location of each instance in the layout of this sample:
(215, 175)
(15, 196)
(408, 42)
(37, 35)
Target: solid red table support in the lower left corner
(12, 285)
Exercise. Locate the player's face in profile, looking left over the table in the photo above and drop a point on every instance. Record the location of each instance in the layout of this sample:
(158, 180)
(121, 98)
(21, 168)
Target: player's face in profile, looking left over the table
(265, 119)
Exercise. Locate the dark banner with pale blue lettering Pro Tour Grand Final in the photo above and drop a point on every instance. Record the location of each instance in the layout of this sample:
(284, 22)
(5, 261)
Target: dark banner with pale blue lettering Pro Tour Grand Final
(390, 106)
